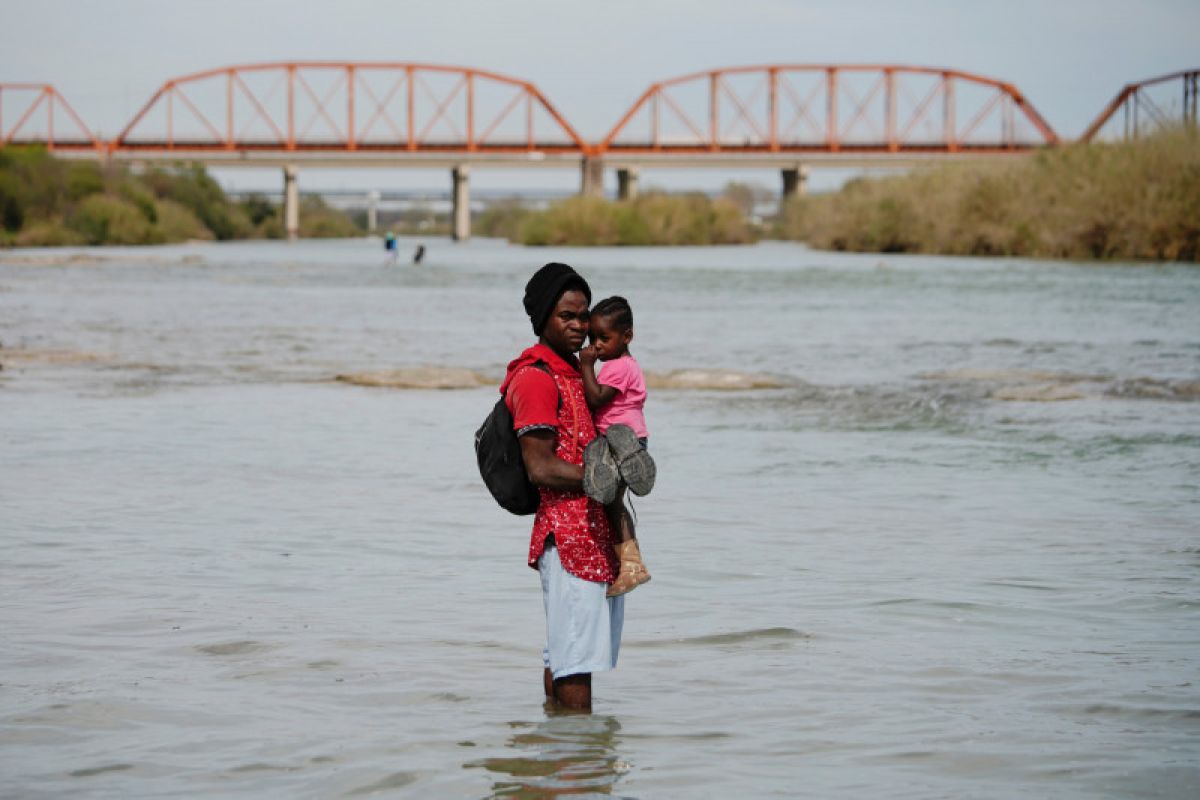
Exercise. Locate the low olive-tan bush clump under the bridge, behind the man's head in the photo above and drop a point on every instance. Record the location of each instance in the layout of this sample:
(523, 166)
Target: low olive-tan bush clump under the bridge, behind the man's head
(653, 219)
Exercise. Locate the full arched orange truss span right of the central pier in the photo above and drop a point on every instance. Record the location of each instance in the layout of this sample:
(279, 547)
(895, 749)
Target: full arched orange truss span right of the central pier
(806, 109)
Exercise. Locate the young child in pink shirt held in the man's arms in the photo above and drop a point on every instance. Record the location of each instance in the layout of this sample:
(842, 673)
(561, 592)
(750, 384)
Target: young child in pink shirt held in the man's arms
(617, 399)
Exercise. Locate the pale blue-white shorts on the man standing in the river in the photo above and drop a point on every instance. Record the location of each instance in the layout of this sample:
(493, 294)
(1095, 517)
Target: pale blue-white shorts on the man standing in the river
(583, 625)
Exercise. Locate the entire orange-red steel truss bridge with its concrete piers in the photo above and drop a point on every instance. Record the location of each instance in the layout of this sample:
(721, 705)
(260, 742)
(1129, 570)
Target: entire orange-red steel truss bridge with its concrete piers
(371, 115)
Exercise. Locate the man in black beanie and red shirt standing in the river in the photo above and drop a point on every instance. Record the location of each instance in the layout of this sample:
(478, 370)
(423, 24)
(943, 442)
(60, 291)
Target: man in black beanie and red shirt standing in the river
(572, 545)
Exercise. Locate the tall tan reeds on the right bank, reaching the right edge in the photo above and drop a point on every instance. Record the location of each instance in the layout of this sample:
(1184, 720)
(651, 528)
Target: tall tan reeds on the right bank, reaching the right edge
(1126, 201)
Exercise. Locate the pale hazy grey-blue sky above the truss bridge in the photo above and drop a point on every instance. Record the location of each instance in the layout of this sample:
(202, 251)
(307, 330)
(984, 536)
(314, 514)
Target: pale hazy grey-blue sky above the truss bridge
(593, 59)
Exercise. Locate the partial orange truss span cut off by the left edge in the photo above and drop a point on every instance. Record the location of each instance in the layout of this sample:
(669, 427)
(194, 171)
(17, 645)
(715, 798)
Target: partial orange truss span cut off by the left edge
(35, 113)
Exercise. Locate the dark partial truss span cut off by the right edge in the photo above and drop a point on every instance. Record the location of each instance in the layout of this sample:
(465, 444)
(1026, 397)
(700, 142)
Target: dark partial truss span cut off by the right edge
(1150, 105)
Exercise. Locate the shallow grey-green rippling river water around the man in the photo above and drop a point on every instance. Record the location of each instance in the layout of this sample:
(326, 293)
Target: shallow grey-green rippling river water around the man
(953, 555)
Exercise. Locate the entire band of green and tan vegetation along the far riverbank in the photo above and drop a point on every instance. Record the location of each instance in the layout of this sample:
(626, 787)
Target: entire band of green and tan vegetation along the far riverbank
(1119, 201)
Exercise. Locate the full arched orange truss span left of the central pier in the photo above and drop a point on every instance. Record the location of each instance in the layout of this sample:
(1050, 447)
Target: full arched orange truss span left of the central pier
(321, 106)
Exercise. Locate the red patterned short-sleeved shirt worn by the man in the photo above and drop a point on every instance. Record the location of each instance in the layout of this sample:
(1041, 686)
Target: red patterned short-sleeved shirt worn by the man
(579, 524)
